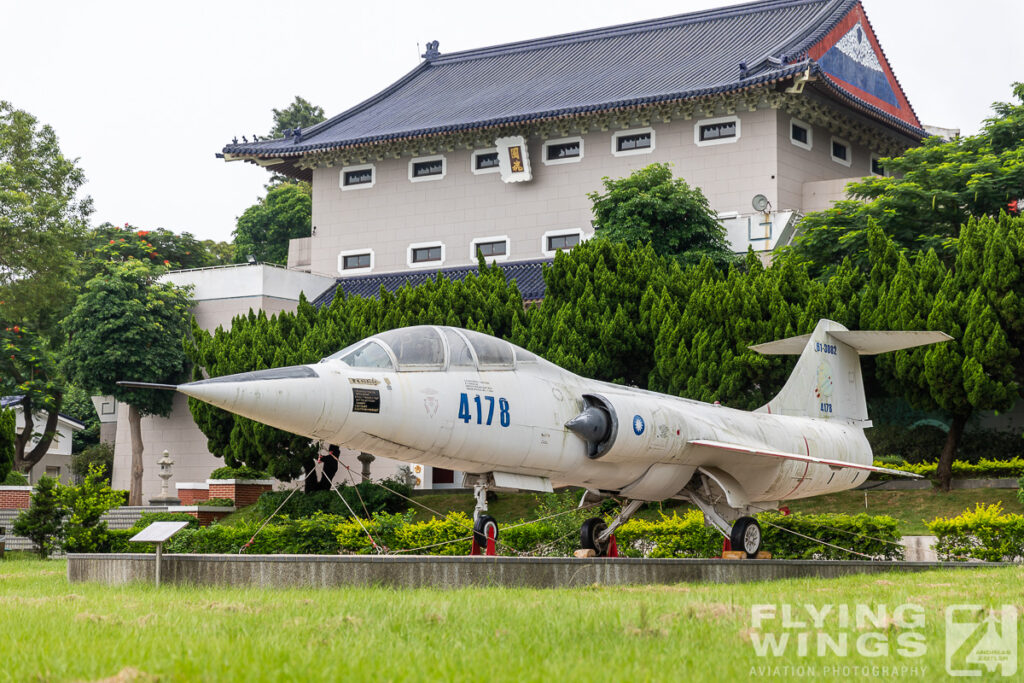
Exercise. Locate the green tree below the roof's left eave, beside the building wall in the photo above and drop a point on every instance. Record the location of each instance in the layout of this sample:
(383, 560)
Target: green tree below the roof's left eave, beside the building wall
(266, 229)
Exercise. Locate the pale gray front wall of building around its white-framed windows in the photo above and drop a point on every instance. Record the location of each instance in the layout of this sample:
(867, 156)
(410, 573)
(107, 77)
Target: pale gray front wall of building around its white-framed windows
(396, 212)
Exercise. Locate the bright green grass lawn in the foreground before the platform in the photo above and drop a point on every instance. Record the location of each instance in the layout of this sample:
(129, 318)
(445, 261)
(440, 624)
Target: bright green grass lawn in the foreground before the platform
(59, 632)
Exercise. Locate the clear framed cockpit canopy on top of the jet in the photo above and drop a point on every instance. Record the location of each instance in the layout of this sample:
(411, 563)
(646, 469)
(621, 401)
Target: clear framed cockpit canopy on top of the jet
(429, 348)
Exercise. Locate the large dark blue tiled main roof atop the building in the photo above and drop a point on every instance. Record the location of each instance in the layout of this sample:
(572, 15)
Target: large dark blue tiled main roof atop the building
(672, 59)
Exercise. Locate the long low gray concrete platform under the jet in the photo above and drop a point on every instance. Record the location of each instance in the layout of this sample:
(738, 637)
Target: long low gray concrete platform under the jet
(435, 572)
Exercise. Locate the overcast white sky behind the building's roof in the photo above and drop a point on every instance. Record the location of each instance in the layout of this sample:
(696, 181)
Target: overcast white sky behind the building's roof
(145, 94)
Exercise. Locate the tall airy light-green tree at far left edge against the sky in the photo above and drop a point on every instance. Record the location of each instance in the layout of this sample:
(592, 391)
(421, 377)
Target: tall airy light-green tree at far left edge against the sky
(41, 222)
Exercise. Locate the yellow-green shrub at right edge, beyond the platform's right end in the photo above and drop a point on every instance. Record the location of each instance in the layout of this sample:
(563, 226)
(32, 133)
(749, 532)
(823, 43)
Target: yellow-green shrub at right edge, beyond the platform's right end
(983, 534)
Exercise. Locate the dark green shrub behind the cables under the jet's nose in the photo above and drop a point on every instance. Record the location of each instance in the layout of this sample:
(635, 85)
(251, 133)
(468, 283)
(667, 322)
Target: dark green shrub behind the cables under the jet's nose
(365, 499)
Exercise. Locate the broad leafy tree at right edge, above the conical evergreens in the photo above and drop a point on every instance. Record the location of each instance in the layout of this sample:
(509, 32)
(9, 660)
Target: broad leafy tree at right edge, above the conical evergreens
(928, 194)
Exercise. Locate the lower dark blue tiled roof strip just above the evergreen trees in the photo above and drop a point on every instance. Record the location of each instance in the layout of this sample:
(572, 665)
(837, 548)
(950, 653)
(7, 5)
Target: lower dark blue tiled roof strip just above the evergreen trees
(529, 277)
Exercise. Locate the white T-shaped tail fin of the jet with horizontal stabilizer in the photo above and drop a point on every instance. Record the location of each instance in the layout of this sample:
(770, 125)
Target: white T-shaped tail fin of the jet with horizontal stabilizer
(827, 381)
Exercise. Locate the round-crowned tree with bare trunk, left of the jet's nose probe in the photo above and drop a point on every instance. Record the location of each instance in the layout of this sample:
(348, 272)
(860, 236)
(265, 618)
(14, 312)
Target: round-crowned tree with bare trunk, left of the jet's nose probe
(129, 326)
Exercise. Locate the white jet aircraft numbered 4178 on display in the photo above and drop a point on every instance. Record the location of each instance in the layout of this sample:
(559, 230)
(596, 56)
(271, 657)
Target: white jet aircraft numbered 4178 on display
(468, 402)
